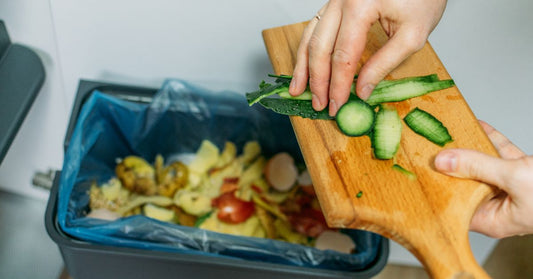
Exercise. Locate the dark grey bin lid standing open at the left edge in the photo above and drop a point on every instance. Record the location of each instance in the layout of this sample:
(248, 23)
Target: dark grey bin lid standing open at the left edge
(21, 77)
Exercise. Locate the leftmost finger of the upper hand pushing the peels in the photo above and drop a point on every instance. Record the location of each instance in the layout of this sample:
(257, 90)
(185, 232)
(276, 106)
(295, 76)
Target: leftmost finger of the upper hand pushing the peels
(300, 73)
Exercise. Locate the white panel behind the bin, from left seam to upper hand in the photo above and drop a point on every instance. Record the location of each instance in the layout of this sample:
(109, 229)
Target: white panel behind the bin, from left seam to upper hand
(217, 43)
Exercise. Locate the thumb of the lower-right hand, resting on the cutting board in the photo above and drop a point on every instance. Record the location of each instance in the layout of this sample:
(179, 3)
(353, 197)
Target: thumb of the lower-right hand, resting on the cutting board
(475, 165)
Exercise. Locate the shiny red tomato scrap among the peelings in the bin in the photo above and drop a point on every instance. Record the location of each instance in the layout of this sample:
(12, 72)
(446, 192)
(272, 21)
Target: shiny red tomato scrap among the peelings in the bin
(232, 209)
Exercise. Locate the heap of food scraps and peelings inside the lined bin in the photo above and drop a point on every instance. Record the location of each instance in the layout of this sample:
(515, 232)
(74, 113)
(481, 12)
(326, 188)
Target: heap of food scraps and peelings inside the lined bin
(243, 194)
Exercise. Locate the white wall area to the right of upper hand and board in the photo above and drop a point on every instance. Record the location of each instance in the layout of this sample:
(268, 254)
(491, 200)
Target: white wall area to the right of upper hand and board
(486, 47)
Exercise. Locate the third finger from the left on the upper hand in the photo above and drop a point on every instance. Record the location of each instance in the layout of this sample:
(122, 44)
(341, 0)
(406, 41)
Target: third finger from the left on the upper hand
(350, 44)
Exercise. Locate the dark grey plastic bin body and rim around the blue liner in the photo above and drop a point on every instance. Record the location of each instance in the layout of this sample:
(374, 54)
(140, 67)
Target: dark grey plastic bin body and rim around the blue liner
(103, 259)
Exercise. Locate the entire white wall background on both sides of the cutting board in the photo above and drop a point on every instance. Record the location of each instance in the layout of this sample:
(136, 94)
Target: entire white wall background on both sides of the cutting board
(483, 44)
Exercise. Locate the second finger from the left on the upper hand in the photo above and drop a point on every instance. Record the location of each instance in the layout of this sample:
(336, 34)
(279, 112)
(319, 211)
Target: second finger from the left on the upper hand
(321, 46)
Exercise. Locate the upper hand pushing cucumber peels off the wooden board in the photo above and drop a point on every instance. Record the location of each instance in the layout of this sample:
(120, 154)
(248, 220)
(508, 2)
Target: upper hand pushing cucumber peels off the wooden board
(334, 40)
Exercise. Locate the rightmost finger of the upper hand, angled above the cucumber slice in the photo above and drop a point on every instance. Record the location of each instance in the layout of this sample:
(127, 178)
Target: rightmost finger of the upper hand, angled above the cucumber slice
(401, 45)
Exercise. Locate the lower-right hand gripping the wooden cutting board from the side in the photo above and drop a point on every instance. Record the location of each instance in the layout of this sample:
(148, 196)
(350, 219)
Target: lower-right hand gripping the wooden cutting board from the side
(510, 212)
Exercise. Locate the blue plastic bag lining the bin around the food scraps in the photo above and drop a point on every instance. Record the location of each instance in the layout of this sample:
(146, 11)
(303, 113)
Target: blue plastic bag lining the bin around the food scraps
(175, 122)
